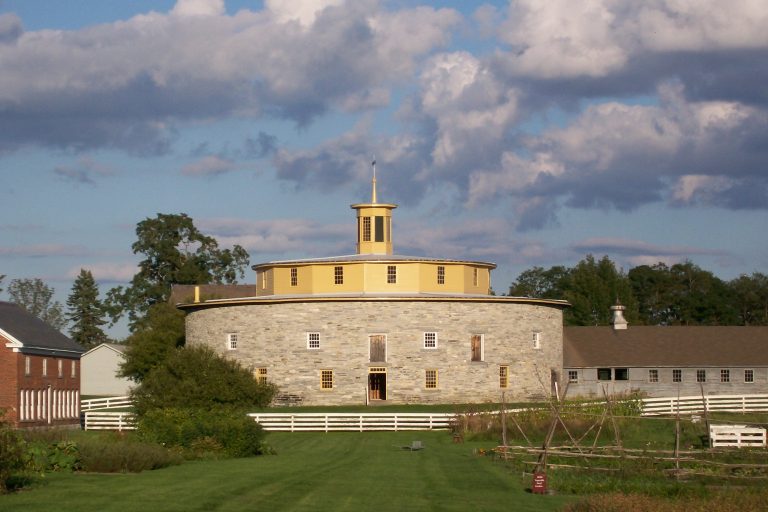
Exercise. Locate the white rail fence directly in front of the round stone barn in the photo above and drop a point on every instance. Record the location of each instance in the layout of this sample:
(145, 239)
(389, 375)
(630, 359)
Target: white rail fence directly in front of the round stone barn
(354, 422)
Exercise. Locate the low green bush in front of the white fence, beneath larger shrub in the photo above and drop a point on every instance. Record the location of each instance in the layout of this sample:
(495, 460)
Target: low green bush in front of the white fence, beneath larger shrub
(204, 432)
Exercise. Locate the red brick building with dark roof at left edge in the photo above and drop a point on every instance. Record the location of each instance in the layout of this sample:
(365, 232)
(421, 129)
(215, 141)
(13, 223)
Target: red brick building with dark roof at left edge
(39, 371)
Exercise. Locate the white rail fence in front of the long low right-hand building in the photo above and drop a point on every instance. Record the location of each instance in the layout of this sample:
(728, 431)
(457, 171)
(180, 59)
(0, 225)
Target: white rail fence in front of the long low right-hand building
(696, 404)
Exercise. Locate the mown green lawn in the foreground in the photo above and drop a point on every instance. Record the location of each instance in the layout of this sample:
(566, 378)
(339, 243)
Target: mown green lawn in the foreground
(313, 472)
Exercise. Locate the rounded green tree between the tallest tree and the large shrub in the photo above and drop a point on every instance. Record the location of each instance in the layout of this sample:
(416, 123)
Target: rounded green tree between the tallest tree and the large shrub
(155, 337)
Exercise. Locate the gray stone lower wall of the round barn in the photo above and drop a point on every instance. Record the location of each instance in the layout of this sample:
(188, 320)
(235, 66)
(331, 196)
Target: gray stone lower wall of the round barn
(274, 336)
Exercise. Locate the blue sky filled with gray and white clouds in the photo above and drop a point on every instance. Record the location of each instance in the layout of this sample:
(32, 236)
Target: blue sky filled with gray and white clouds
(524, 133)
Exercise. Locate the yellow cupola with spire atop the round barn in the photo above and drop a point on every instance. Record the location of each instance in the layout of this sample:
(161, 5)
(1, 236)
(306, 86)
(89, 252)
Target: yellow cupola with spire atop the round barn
(374, 224)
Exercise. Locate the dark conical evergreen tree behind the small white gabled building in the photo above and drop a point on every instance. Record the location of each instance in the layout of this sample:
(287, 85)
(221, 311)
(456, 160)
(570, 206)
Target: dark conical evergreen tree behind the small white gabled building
(86, 312)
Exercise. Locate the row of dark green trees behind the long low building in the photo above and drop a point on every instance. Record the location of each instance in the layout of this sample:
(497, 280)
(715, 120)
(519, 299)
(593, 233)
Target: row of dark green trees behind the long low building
(680, 294)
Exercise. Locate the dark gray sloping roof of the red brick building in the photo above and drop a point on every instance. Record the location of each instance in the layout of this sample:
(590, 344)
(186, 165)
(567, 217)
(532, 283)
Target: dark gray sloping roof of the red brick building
(36, 336)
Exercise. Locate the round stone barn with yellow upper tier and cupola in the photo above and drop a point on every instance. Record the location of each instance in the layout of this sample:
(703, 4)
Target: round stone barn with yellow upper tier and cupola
(376, 327)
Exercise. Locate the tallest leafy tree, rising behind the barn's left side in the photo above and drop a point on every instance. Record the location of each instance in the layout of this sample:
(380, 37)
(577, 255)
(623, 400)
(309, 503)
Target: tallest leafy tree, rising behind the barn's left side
(176, 252)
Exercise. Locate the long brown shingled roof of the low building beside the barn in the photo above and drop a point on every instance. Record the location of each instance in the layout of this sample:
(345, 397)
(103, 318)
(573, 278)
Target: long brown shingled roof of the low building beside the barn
(649, 346)
